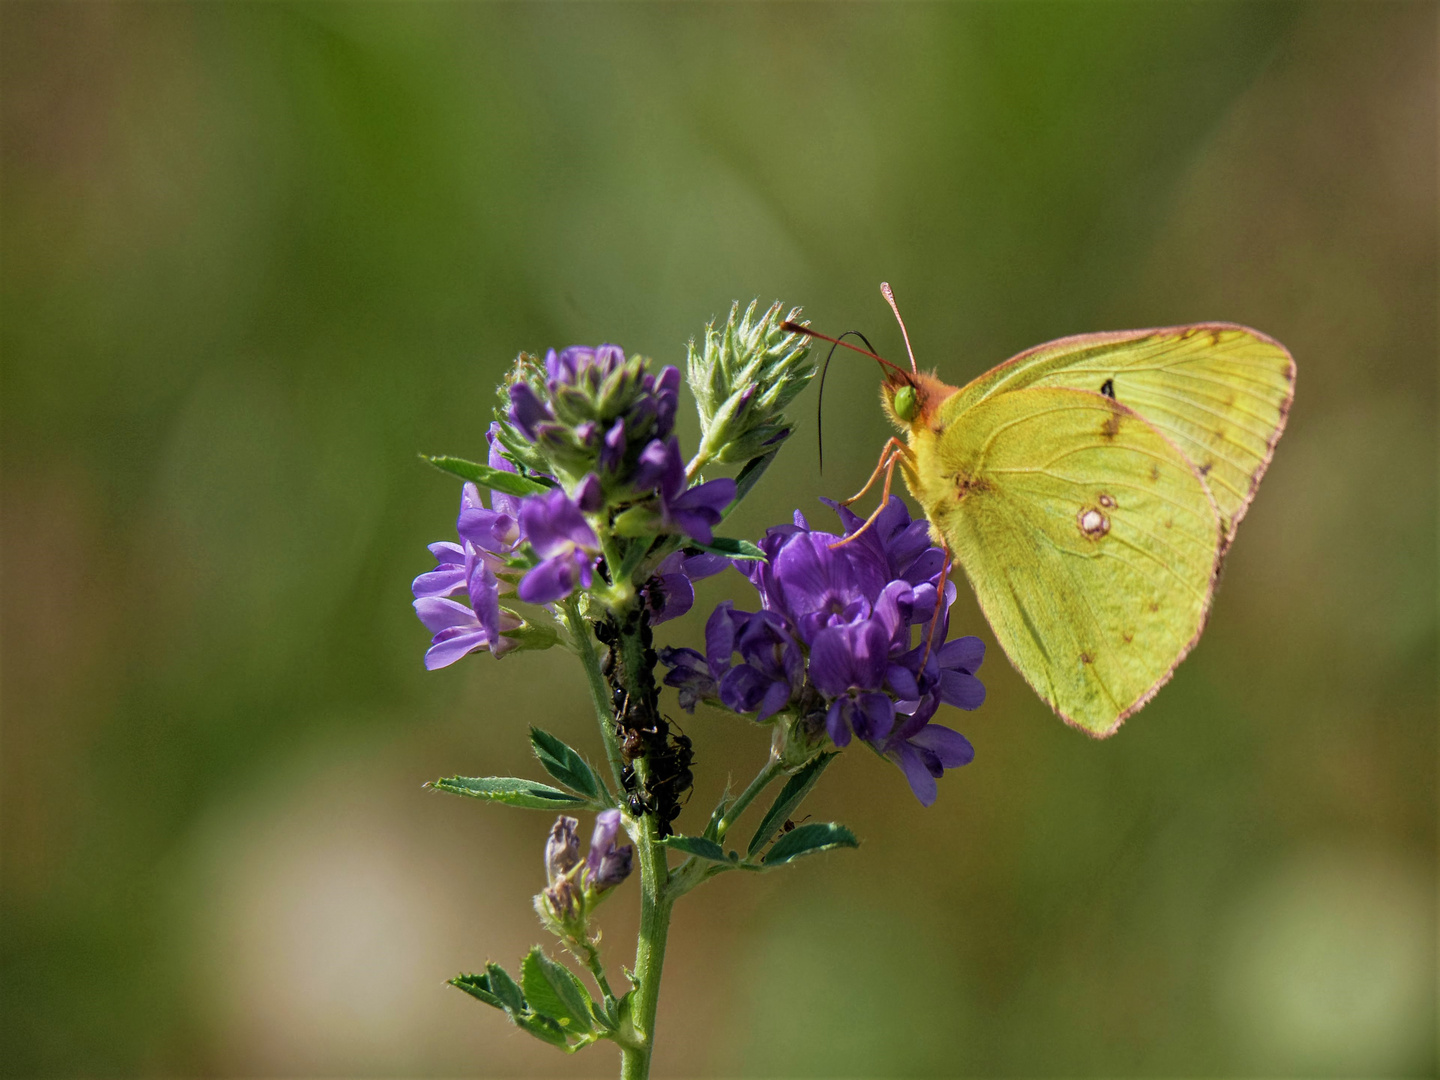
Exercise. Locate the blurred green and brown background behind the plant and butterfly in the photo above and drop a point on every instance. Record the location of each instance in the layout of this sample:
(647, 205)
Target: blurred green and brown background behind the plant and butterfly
(258, 256)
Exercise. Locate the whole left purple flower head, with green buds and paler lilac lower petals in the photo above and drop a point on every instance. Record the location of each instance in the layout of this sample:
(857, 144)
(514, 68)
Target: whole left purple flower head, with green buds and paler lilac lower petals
(603, 427)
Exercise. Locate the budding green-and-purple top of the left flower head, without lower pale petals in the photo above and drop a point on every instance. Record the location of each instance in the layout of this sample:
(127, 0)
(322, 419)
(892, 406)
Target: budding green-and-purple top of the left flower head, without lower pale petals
(606, 426)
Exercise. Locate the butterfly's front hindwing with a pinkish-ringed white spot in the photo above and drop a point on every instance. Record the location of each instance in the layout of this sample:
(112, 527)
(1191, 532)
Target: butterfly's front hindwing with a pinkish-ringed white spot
(1089, 539)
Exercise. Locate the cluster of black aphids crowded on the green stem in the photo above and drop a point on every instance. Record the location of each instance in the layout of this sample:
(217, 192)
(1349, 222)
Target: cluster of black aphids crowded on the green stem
(640, 728)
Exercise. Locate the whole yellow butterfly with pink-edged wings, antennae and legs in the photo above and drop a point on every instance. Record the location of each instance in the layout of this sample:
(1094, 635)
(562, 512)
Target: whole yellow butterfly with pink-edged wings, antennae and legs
(1091, 489)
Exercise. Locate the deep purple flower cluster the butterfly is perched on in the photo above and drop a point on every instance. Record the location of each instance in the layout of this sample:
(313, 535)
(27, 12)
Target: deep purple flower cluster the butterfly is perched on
(834, 643)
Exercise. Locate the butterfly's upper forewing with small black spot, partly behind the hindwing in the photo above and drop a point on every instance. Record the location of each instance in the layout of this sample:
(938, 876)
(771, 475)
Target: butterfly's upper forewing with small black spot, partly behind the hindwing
(1220, 392)
